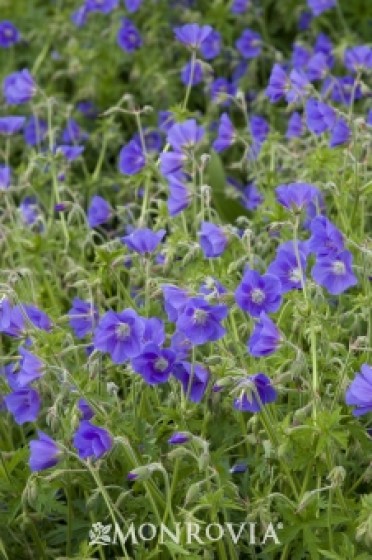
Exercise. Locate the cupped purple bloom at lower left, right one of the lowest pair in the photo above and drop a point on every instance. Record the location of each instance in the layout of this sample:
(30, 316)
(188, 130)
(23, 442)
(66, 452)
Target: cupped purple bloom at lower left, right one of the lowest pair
(91, 441)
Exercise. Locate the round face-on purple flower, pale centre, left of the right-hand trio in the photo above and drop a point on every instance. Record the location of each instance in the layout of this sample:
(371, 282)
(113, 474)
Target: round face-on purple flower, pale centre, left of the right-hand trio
(258, 293)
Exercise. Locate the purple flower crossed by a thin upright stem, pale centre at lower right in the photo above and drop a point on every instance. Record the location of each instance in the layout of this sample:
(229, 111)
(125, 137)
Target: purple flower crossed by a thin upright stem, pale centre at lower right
(288, 268)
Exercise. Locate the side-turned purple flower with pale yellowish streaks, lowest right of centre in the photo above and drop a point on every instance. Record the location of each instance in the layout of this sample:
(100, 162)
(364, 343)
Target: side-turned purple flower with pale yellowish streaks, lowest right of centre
(256, 391)
